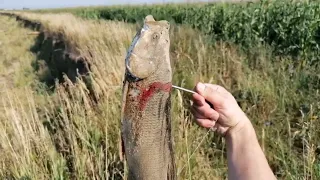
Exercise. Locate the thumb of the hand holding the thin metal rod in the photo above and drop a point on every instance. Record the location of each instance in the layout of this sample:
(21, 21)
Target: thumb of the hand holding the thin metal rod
(210, 93)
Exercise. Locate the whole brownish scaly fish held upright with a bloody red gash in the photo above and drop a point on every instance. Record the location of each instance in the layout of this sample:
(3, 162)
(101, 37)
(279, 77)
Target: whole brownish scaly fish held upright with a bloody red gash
(146, 129)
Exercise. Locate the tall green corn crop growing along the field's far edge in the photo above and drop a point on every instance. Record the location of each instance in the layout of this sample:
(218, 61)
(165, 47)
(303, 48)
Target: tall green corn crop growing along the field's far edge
(289, 27)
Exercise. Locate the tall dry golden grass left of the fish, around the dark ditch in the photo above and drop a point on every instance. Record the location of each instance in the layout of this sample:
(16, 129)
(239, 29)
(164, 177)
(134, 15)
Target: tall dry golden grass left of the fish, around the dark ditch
(71, 127)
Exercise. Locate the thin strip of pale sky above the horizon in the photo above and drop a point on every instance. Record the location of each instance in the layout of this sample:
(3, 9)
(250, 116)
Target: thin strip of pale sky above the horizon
(35, 4)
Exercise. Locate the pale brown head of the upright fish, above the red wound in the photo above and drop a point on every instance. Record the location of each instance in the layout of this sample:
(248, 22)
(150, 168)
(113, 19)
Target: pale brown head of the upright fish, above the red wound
(149, 48)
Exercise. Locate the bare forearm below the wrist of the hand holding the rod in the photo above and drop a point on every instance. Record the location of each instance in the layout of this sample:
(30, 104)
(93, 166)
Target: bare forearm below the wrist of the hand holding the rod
(246, 159)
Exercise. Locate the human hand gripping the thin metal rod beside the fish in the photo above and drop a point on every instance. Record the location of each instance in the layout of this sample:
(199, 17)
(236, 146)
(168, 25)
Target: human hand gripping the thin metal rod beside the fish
(226, 114)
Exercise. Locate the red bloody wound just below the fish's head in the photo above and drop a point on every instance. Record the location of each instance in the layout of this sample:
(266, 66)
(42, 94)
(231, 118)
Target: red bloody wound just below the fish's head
(147, 93)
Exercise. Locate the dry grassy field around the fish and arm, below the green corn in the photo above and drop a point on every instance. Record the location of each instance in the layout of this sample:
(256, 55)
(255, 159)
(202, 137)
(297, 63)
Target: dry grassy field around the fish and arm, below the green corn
(69, 129)
